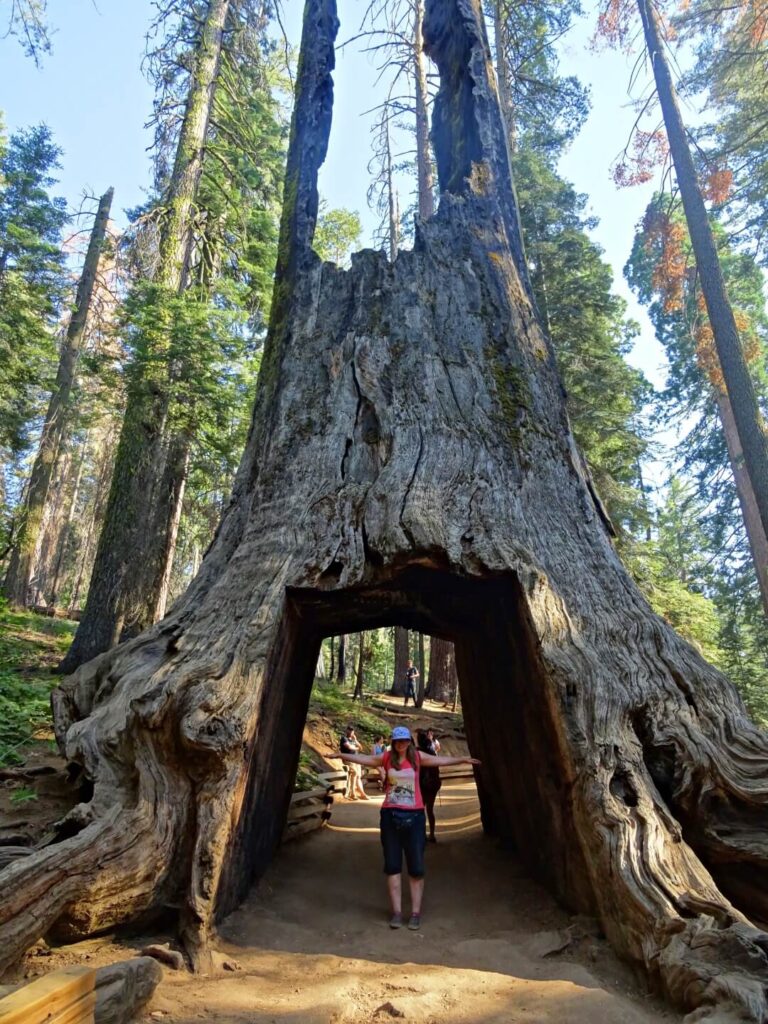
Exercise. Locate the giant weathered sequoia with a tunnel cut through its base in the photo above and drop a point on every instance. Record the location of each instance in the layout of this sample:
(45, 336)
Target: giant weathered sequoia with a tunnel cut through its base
(411, 463)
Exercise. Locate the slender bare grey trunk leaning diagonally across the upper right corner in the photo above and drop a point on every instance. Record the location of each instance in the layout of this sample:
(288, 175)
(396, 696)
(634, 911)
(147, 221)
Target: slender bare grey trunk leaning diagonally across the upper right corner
(750, 424)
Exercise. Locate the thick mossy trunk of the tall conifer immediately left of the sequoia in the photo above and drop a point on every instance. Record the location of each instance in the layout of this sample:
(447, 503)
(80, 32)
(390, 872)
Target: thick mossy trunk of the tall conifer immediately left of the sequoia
(136, 546)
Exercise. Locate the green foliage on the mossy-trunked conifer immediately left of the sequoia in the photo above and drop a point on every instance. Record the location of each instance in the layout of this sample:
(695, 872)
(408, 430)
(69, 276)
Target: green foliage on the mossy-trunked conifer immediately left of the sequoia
(202, 349)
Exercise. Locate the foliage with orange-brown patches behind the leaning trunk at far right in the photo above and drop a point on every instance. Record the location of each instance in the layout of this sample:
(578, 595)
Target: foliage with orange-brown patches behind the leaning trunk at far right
(662, 271)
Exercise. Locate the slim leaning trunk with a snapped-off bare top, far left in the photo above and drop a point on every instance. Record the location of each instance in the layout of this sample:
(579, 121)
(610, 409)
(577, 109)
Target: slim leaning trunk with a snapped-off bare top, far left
(22, 562)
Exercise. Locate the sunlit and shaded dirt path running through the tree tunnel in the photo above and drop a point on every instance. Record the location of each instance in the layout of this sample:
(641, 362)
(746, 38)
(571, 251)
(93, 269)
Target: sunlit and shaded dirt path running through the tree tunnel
(315, 947)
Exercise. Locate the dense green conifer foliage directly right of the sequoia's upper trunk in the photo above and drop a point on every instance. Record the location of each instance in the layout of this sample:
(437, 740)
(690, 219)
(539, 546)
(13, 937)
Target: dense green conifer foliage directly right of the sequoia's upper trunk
(590, 333)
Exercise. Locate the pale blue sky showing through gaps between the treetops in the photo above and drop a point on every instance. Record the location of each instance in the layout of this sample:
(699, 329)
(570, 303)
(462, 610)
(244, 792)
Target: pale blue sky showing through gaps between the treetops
(93, 95)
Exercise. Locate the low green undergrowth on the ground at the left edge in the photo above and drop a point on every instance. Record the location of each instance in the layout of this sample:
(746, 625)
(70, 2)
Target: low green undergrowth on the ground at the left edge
(30, 647)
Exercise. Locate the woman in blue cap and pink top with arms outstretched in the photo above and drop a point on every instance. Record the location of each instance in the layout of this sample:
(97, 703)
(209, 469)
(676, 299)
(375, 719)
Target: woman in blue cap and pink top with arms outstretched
(403, 820)
